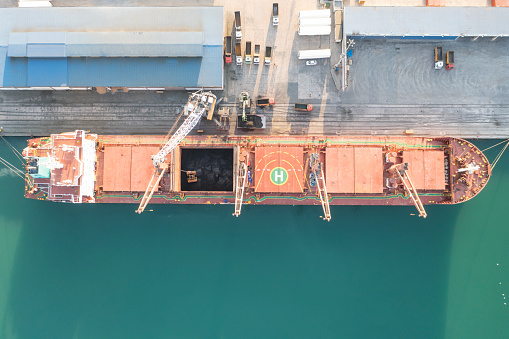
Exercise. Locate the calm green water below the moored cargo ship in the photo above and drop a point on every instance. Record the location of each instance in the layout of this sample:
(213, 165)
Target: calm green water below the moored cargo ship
(101, 271)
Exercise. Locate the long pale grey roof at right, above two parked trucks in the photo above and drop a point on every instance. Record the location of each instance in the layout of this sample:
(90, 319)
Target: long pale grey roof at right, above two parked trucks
(426, 21)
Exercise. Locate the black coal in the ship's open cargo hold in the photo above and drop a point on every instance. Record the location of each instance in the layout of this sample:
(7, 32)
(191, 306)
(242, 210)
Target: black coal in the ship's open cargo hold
(214, 169)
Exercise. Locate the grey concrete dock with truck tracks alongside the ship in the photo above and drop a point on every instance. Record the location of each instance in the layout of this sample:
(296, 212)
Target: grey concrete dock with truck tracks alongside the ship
(393, 87)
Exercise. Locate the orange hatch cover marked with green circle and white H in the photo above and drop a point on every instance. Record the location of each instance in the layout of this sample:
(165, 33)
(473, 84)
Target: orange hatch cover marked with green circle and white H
(279, 169)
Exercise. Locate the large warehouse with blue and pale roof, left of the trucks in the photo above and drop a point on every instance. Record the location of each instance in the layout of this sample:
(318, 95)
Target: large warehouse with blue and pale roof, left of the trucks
(150, 48)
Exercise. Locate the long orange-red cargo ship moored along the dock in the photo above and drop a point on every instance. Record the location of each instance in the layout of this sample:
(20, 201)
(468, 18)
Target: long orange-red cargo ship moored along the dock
(82, 167)
